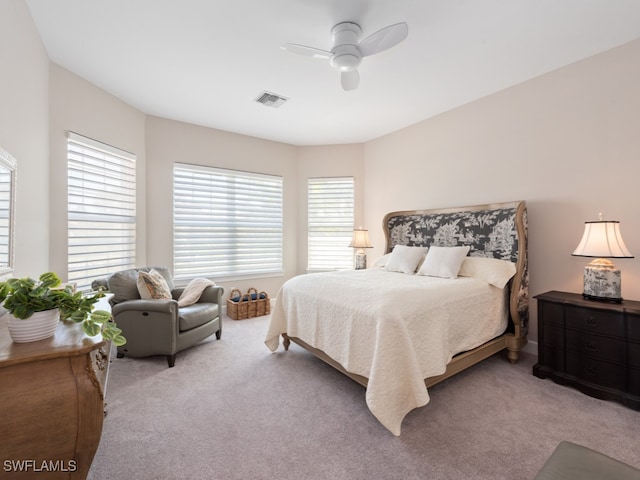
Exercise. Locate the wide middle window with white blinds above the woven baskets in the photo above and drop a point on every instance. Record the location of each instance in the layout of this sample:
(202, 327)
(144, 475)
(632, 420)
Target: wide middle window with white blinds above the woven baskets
(227, 223)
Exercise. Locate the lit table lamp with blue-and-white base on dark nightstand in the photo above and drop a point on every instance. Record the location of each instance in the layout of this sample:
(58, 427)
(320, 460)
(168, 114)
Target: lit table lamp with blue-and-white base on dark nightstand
(602, 240)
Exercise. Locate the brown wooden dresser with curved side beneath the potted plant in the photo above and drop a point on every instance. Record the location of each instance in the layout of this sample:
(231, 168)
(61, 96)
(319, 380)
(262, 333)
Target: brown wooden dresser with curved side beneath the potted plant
(51, 404)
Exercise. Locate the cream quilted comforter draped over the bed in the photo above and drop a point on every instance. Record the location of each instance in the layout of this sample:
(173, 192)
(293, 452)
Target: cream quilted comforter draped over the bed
(395, 329)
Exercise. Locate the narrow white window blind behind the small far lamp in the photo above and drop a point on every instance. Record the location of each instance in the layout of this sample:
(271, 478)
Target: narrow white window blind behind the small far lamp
(331, 218)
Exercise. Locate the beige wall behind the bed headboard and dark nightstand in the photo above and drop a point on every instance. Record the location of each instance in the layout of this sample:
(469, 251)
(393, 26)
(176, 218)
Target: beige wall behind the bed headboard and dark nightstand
(566, 142)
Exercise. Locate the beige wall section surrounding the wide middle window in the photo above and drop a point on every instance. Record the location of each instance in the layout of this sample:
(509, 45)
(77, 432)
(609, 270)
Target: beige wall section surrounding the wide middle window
(170, 141)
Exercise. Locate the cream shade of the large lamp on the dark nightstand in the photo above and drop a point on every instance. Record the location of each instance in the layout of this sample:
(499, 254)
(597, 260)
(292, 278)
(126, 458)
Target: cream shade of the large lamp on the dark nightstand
(602, 239)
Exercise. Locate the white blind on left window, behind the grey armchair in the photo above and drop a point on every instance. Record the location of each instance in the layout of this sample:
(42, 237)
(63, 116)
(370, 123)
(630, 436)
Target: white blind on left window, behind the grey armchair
(101, 208)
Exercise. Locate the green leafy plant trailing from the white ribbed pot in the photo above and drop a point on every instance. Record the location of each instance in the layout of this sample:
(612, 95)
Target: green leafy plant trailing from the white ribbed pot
(22, 297)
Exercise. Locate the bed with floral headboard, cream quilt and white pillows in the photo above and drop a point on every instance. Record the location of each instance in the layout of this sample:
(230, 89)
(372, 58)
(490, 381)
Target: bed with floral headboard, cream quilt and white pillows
(399, 330)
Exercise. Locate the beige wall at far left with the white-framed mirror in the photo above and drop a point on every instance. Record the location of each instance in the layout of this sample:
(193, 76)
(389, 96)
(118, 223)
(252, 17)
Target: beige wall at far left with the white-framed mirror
(24, 124)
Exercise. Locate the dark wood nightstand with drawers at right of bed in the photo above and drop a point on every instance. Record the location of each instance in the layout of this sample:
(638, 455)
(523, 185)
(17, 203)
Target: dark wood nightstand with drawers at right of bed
(593, 346)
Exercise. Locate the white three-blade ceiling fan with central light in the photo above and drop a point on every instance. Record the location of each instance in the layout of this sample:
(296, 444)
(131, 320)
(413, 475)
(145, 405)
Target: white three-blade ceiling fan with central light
(348, 51)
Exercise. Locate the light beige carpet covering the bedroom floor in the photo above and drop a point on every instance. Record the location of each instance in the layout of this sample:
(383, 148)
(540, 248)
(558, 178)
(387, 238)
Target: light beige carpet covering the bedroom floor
(230, 409)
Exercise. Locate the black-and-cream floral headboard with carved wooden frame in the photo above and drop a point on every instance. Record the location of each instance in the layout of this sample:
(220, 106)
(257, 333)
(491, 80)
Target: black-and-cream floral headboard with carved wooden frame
(497, 230)
